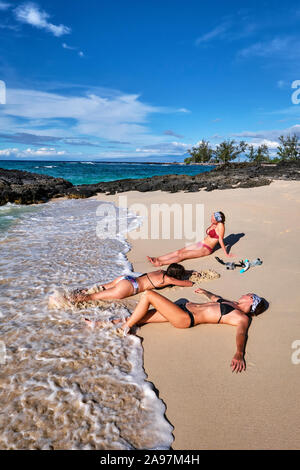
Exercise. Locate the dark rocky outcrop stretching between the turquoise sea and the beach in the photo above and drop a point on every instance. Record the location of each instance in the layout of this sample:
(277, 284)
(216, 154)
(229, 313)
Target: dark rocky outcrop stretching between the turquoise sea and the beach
(23, 187)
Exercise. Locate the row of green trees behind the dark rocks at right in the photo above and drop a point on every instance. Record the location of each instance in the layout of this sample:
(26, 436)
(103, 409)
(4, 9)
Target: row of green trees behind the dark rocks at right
(288, 149)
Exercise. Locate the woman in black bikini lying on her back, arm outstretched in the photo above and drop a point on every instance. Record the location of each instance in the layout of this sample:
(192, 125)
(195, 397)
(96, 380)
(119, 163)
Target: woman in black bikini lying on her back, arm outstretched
(185, 314)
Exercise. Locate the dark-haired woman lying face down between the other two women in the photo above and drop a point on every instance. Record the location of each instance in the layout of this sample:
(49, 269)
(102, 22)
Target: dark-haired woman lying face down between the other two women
(125, 286)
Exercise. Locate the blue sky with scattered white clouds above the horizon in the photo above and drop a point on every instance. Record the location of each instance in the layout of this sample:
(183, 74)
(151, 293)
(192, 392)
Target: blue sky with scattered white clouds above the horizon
(145, 80)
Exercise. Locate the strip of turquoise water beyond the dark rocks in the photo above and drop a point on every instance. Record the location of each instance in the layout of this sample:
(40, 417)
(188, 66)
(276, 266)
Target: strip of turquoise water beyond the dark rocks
(94, 172)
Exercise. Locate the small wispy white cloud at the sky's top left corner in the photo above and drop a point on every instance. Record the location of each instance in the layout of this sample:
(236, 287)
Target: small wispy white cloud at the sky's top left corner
(31, 14)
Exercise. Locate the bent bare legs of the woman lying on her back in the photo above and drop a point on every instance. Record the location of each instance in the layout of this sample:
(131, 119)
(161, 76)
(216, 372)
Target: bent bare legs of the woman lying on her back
(171, 312)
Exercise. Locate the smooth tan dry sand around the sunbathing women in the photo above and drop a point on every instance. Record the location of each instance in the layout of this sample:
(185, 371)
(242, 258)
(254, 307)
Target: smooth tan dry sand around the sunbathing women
(209, 406)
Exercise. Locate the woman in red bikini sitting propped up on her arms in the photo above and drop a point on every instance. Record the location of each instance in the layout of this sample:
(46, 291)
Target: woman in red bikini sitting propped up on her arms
(215, 234)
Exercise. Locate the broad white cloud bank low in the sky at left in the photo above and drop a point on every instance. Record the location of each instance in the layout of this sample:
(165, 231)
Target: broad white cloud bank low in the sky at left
(118, 116)
